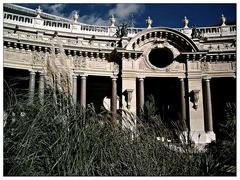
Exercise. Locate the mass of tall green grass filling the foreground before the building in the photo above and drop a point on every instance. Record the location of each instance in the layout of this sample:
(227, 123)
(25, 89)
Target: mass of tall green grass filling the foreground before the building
(42, 140)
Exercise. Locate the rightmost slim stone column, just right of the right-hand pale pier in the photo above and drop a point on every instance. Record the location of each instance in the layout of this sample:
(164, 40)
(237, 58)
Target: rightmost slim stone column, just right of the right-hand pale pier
(208, 106)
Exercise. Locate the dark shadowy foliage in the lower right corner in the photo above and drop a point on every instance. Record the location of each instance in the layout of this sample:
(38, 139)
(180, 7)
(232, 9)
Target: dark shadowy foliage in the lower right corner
(220, 158)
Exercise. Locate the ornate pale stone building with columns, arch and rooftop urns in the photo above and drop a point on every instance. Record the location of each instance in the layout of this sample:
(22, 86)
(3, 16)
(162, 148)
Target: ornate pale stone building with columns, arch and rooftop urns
(191, 72)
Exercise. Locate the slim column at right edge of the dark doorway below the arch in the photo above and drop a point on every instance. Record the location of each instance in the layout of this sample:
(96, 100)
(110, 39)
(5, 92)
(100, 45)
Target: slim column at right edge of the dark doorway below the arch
(182, 104)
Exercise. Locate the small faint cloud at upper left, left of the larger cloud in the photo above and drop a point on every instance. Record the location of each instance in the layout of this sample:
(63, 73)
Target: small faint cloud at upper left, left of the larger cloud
(55, 9)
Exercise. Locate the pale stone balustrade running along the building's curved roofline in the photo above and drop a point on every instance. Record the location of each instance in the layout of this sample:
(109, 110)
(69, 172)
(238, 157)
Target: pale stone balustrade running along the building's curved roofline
(216, 31)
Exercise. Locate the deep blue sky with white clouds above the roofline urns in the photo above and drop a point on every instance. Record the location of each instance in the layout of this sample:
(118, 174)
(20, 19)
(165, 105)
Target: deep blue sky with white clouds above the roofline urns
(166, 15)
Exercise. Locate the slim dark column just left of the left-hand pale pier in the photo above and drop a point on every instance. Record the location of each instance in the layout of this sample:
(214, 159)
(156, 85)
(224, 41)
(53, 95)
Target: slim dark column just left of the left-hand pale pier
(114, 99)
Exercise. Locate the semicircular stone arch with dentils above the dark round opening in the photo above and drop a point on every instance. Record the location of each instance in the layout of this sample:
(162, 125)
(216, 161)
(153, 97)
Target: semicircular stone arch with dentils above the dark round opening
(174, 37)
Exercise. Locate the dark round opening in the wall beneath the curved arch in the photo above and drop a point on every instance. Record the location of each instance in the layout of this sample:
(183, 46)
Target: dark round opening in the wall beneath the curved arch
(161, 57)
